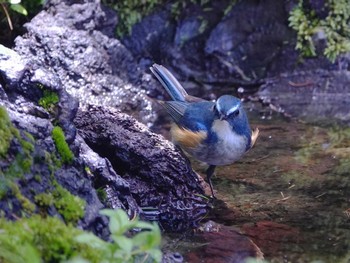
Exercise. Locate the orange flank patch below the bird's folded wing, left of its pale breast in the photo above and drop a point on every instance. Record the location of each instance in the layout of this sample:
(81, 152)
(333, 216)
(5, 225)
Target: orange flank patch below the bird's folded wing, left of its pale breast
(186, 138)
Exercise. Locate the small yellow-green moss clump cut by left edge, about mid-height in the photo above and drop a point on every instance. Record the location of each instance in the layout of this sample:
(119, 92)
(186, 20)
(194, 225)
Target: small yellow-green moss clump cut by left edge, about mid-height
(6, 133)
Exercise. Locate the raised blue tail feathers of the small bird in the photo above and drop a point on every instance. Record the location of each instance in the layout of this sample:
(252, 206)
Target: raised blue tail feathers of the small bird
(169, 82)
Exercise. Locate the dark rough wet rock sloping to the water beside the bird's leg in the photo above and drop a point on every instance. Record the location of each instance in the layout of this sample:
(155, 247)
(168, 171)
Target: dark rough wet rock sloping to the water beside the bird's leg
(151, 169)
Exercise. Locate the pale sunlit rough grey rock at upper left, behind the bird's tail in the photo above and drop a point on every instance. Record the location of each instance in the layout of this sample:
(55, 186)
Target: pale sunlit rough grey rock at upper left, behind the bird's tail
(74, 41)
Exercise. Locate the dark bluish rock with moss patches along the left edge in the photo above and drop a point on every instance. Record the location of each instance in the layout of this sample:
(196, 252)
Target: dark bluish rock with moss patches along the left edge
(31, 166)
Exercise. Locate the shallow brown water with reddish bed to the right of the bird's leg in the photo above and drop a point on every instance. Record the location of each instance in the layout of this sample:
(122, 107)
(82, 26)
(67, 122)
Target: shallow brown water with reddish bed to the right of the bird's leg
(290, 196)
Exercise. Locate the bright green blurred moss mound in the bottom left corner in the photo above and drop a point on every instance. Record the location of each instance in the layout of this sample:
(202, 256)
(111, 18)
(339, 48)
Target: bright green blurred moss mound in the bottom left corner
(39, 239)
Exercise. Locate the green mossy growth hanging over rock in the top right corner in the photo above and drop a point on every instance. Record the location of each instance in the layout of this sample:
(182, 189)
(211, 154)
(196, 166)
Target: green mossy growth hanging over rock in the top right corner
(335, 27)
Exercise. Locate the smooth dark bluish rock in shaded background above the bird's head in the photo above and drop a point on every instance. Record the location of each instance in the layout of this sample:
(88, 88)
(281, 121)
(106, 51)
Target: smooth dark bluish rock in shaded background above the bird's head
(249, 38)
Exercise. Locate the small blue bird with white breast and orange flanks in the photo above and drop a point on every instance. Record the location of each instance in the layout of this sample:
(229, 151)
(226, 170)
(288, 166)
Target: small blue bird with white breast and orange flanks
(216, 133)
